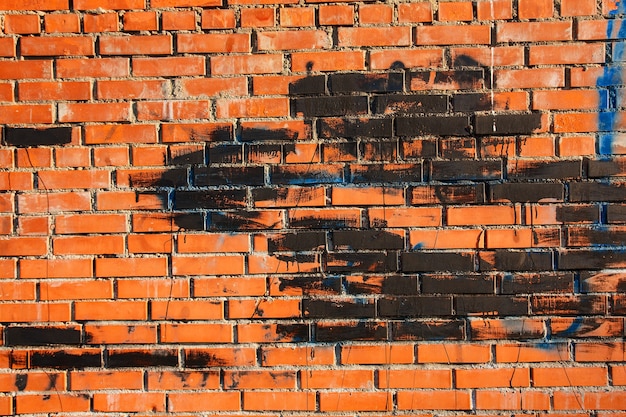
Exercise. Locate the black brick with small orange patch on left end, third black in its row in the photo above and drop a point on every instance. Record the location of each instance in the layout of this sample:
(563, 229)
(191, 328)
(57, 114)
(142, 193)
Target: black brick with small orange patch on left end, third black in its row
(512, 260)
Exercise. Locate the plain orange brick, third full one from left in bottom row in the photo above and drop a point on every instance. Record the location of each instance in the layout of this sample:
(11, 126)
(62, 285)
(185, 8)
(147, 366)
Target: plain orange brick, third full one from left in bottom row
(203, 401)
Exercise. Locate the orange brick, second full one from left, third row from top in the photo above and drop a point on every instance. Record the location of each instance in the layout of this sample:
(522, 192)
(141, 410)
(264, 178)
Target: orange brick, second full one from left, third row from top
(136, 44)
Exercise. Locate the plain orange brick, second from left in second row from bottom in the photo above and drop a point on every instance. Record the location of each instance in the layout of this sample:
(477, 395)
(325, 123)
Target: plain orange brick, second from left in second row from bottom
(99, 380)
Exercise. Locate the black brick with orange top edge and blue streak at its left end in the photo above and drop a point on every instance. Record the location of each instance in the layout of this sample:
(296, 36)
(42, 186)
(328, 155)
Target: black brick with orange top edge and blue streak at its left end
(385, 173)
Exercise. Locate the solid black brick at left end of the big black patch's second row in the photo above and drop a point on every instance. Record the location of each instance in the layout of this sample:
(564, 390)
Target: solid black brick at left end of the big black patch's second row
(331, 106)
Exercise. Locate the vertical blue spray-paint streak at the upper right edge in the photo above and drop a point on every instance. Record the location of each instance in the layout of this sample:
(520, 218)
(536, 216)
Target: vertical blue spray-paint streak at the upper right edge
(612, 76)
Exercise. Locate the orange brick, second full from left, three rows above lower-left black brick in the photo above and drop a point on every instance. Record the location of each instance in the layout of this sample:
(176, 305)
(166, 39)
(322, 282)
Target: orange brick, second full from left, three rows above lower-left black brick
(131, 267)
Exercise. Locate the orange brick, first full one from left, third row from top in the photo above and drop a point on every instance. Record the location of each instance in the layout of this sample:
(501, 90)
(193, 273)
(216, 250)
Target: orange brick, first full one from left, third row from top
(57, 46)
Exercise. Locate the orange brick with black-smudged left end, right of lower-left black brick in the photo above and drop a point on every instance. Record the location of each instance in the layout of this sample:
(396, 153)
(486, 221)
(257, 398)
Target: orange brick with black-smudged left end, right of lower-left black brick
(121, 334)
